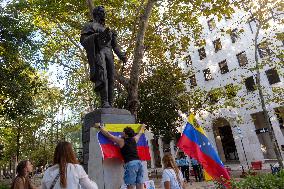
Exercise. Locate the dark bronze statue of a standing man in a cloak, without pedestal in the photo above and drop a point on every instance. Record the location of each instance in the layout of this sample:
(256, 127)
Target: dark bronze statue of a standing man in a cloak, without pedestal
(99, 42)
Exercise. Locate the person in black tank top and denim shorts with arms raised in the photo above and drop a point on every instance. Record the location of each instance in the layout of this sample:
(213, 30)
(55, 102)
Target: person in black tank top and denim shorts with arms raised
(133, 168)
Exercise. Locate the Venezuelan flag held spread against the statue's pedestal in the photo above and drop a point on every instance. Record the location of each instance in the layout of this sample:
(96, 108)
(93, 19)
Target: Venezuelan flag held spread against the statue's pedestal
(112, 150)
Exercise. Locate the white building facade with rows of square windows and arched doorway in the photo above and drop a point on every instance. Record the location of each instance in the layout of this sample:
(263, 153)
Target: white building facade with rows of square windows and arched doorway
(228, 59)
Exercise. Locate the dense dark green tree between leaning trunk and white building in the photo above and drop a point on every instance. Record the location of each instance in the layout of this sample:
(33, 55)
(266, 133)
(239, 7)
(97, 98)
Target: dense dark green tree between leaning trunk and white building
(161, 97)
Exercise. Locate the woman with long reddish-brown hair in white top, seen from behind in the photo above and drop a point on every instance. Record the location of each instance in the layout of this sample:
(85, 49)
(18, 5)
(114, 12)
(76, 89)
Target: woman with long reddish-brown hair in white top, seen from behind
(66, 172)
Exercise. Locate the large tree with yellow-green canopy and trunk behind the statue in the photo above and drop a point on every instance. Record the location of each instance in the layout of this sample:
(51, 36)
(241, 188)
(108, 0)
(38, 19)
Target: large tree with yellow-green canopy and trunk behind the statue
(145, 29)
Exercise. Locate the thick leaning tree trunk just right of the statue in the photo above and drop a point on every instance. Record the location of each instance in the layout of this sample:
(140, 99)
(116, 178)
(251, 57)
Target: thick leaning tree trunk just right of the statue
(132, 89)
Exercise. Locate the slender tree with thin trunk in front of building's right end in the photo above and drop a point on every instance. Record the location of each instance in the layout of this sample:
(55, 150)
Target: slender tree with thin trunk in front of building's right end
(268, 16)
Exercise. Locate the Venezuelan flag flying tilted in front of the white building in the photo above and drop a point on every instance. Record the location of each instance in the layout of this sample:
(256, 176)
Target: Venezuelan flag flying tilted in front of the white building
(195, 144)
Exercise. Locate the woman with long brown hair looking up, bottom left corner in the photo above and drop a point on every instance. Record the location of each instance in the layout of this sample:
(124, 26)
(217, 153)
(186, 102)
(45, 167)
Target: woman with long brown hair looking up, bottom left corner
(22, 180)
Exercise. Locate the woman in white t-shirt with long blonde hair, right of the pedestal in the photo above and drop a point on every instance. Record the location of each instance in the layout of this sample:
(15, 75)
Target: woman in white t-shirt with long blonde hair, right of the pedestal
(172, 177)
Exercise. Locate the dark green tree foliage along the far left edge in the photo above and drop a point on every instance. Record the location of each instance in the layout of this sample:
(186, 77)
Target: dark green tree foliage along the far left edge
(18, 79)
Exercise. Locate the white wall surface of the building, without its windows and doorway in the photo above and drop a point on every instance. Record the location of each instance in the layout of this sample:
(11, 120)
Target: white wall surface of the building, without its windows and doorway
(235, 75)
